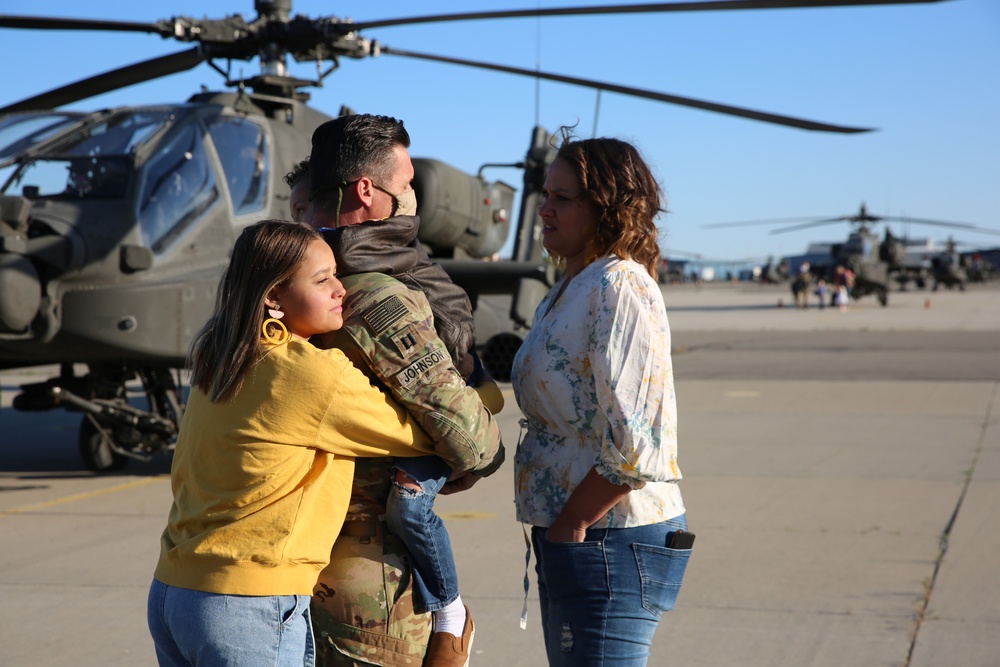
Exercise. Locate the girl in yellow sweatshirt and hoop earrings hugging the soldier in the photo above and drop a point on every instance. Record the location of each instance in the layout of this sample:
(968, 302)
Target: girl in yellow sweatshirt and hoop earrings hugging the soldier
(264, 461)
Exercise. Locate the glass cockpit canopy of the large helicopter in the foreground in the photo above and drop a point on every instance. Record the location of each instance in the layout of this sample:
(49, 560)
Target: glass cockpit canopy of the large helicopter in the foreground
(74, 157)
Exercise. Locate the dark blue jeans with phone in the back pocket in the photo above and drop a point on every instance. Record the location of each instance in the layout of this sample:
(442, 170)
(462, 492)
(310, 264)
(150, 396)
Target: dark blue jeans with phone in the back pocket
(602, 598)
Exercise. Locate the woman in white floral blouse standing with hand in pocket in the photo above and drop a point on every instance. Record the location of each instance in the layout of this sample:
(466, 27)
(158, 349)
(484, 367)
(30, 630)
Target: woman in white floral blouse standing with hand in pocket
(596, 469)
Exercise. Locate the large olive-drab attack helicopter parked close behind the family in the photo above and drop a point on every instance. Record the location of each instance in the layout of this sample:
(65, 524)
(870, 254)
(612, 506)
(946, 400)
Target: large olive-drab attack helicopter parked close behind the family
(116, 224)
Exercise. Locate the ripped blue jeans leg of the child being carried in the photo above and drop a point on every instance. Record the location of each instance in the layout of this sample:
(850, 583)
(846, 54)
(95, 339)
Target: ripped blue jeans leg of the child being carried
(410, 516)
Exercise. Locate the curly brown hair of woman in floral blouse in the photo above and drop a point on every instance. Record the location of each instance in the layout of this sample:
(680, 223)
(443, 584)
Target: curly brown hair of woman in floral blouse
(623, 194)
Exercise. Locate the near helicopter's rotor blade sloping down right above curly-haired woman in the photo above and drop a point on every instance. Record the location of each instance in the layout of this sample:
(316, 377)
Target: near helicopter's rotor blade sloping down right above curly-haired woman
(766, 117)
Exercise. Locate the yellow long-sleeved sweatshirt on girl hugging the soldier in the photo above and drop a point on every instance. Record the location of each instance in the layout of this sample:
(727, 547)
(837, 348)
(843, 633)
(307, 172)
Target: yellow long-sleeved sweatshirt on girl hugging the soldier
(262, 482)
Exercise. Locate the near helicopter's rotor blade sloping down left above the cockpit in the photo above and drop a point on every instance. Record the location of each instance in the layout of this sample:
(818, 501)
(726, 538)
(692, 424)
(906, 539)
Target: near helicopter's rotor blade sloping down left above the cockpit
(112, 80)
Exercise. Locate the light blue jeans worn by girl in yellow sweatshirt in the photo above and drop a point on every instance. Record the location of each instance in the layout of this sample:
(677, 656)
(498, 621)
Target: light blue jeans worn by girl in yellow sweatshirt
(193, 628)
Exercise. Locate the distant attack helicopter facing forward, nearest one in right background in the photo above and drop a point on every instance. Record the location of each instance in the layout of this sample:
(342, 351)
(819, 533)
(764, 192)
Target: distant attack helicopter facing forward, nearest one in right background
(874, 261)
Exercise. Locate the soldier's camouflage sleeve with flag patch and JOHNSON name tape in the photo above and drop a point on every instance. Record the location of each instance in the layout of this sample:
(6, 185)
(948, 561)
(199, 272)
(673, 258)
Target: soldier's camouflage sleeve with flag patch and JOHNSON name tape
(389, 334)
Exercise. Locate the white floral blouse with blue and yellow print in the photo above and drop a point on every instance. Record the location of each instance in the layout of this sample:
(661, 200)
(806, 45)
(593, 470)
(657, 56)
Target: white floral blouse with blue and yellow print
(595, 383)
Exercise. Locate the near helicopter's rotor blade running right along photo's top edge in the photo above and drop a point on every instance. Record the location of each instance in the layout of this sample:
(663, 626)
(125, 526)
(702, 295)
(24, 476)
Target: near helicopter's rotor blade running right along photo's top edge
(658, 7)
